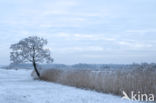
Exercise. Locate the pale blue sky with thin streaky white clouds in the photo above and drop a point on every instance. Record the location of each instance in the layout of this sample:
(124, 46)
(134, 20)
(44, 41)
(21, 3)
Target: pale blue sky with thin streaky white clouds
(83, 31)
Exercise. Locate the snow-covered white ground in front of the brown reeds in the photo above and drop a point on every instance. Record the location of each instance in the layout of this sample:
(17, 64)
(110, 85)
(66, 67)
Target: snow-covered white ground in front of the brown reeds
(17, 86)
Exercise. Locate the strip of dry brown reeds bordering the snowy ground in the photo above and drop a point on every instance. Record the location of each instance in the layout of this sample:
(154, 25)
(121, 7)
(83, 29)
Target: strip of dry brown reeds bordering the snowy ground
(105, 81)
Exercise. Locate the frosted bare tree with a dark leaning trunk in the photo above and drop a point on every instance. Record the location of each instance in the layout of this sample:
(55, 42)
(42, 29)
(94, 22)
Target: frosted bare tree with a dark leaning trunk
(30, 50)
